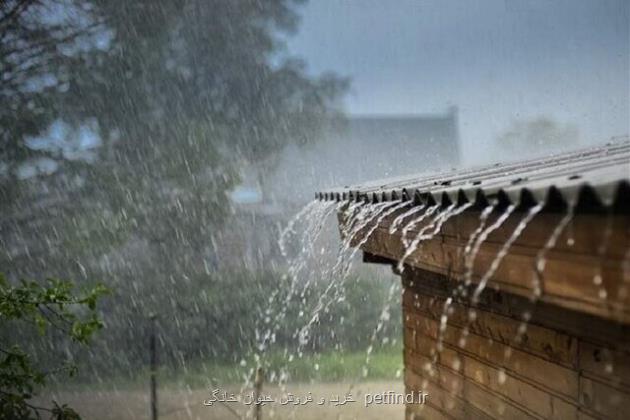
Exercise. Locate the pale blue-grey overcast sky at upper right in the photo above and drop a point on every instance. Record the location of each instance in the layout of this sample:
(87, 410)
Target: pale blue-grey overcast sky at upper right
(498, 61)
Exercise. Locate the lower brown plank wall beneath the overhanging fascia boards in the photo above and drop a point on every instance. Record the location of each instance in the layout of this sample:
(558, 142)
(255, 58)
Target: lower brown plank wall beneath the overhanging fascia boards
(568, 364)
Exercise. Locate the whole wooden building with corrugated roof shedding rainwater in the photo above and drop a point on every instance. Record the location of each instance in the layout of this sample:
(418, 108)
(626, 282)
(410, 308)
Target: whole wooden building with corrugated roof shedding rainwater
(548, 337)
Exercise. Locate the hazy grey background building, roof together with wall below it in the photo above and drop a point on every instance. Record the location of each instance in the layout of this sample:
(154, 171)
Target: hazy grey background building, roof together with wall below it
(365, 147)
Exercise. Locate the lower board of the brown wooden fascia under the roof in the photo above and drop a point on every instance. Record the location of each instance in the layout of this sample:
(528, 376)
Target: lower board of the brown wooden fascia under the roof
(567, 280)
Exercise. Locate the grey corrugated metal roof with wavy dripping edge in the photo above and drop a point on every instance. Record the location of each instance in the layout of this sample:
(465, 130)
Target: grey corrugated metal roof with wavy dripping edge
(585, 179)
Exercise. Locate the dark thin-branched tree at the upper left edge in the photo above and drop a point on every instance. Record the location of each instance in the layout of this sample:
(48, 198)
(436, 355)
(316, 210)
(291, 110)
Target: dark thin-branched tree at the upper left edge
(39, 41)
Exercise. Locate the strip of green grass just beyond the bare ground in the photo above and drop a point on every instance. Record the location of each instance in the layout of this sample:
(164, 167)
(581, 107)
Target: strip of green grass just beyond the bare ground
(385, 364)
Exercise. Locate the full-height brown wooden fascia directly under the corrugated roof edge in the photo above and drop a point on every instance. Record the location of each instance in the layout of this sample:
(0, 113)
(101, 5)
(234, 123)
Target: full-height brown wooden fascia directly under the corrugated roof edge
(570, 271)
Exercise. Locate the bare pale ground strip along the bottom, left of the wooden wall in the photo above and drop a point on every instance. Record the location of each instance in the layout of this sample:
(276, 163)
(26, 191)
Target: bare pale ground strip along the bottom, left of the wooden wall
(180, 404)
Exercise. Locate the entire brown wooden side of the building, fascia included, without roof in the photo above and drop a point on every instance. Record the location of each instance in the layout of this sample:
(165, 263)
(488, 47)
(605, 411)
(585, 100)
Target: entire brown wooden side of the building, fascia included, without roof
(572, 360)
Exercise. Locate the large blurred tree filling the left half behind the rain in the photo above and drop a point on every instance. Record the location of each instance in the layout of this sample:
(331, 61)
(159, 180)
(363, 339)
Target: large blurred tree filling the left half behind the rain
(180, 95)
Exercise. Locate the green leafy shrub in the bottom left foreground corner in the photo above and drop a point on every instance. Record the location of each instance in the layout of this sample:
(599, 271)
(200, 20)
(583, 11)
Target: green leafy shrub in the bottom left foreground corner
(50, 306)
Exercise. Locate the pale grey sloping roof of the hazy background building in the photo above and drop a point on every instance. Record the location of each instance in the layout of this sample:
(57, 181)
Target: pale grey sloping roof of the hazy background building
(363, 148)
